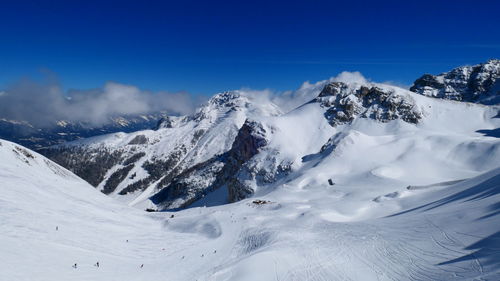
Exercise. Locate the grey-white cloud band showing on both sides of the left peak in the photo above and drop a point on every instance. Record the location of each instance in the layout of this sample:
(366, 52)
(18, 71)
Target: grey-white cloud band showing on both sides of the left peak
(44, 103)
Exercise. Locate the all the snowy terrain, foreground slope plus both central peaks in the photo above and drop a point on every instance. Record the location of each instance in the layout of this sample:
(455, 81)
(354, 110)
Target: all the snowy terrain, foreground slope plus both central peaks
(360, 181)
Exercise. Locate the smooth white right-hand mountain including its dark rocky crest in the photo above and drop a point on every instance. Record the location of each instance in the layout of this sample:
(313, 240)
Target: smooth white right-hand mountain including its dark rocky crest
(372, 145)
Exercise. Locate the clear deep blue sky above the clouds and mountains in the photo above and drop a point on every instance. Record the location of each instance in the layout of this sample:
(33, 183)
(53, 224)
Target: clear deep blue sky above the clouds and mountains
(205, 47)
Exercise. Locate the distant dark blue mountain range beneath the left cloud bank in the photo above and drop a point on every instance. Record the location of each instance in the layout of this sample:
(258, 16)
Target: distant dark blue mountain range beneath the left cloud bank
(36, 137)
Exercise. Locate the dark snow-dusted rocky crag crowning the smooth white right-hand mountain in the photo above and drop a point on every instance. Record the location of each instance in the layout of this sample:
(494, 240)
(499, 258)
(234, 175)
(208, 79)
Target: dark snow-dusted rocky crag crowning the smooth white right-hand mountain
(345, 102)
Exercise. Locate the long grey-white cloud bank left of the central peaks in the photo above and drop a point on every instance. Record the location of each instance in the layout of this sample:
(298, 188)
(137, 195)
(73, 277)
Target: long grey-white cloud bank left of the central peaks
(44, 103)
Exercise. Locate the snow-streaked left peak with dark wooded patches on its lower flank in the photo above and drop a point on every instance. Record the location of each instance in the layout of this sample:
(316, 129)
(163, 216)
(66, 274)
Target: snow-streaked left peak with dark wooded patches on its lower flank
(135, 166)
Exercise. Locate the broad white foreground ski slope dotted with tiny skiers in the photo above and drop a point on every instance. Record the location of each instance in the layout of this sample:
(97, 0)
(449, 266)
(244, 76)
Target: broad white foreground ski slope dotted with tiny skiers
(304, 230)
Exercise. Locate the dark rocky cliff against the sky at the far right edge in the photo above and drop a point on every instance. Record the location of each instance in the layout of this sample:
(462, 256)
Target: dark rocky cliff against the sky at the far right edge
(478, 84)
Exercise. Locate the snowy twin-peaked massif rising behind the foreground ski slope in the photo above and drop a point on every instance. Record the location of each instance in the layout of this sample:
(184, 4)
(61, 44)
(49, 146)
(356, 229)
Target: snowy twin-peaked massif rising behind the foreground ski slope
(238, 145)
